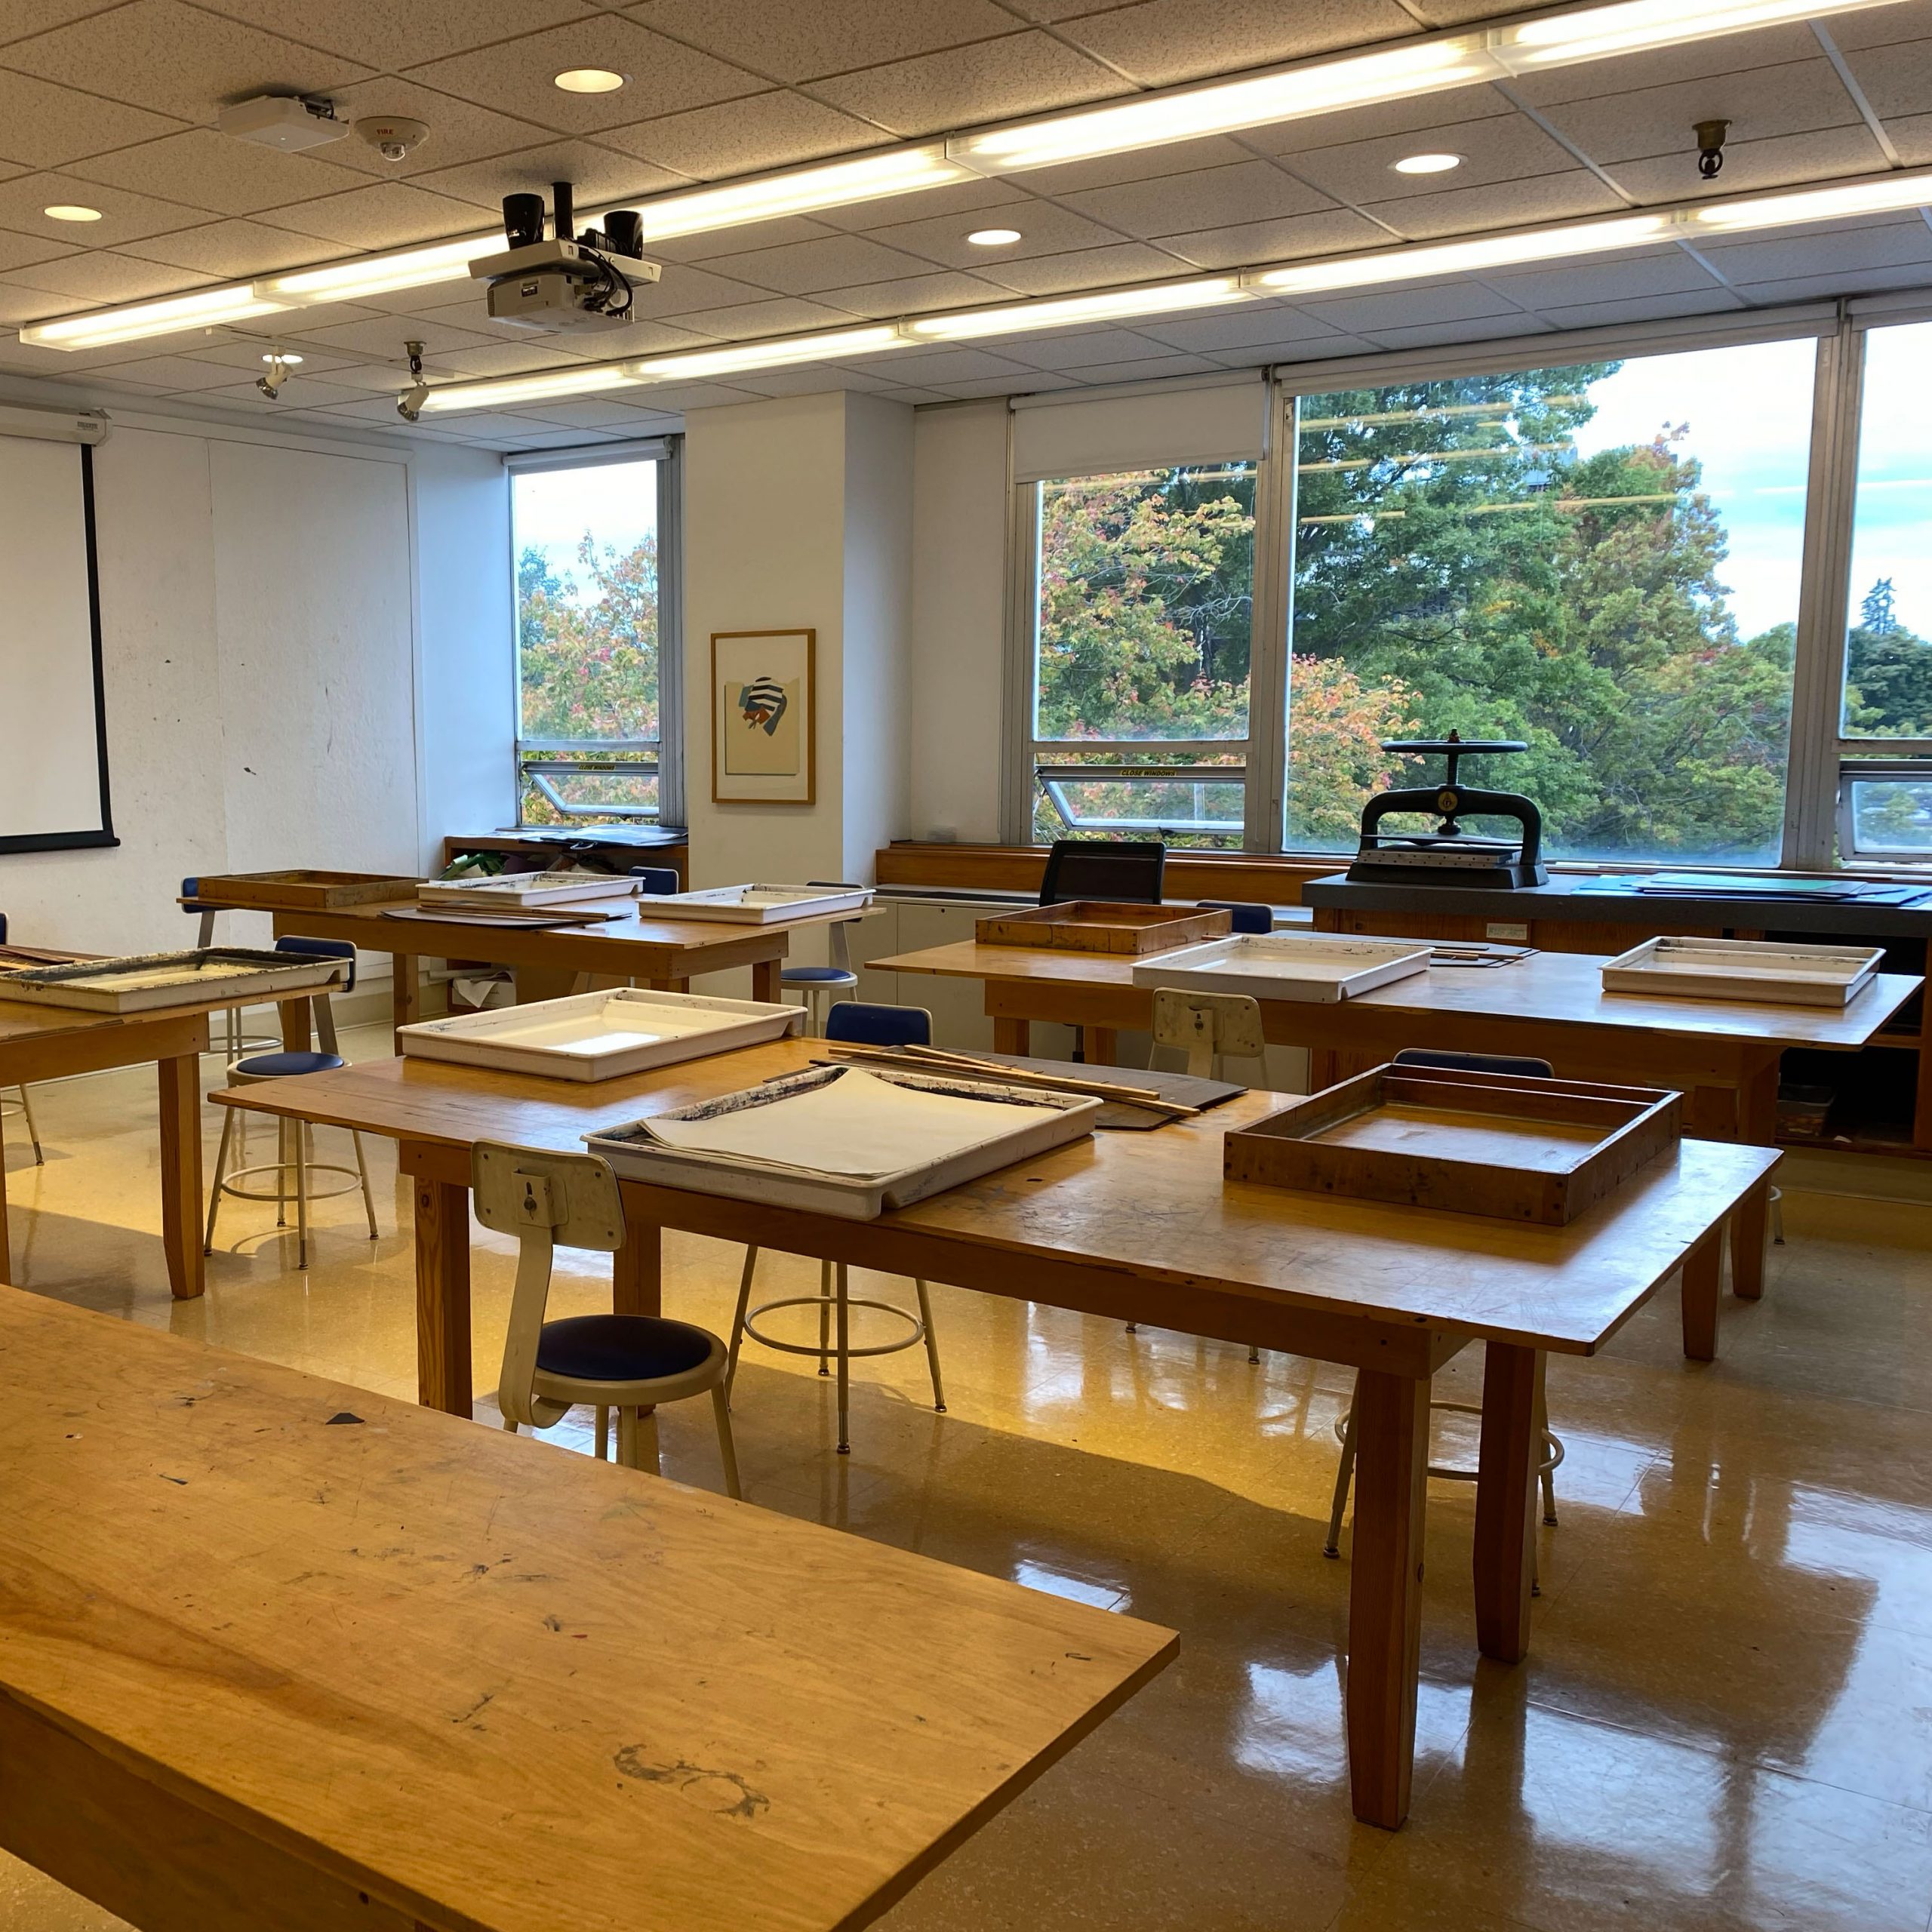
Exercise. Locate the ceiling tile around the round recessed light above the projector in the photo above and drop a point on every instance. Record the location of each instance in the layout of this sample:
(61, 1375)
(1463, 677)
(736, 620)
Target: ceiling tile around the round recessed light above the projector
(517, 76)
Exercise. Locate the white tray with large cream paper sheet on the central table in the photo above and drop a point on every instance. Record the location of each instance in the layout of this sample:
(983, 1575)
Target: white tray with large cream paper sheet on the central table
(1021, 1125)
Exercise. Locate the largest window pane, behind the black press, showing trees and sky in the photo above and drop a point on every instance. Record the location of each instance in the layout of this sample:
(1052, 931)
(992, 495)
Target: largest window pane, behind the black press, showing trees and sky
(1601, 559)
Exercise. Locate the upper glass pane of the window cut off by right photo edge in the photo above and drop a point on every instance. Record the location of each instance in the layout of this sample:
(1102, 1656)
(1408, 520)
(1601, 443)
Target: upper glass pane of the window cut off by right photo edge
(1889, 646)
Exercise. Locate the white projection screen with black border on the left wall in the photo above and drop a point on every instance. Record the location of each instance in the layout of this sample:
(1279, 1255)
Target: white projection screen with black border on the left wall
(53, 722)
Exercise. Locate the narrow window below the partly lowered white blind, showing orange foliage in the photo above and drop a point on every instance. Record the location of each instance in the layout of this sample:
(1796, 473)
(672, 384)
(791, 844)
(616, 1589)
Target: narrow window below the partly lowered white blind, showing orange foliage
(1143, 635)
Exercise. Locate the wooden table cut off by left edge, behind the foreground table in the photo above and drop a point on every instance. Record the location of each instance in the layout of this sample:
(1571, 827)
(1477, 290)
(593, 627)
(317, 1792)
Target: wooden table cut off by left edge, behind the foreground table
(53, 1042)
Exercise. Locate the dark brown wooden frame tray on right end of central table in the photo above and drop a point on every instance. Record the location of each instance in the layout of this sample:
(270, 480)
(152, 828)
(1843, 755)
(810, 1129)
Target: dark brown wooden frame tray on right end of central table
(1494, 1145)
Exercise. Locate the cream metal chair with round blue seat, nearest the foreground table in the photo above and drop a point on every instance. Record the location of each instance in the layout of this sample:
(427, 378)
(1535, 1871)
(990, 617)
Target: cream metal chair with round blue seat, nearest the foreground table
(625, 1363)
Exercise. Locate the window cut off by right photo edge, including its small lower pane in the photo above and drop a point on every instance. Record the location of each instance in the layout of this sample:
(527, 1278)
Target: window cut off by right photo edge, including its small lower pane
(1887, 708)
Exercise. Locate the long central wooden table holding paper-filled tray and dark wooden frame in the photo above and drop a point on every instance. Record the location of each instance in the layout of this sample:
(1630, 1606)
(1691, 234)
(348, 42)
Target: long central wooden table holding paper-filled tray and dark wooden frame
(1141, 1228)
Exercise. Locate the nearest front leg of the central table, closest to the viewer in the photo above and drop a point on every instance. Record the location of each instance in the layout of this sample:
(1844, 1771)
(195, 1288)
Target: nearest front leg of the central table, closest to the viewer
(1392, 1435)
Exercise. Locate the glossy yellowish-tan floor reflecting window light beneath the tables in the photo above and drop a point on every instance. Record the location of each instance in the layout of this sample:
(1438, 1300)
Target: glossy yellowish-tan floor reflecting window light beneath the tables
(1726, 1720)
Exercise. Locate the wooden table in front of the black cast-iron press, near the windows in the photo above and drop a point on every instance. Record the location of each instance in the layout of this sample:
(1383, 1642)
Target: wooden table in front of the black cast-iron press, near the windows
(1720, 1054)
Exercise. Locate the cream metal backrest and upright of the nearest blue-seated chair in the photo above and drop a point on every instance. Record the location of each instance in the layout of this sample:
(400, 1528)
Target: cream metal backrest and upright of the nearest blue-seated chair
(548, 1203)
